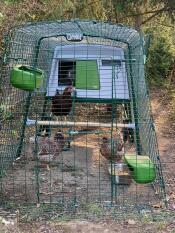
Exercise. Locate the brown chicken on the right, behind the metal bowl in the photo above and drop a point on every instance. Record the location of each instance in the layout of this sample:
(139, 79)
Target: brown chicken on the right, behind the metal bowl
(112, 148)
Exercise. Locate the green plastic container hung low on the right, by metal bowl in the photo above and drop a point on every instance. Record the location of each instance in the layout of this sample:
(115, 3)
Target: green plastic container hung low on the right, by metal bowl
(141, 168)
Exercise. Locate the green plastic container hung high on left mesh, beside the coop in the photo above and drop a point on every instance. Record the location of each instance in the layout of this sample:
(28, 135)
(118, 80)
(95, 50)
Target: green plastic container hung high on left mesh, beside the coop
(26, 77)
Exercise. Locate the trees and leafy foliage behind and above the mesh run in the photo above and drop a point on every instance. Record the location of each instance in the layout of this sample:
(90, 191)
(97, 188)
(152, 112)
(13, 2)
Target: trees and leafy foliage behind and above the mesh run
(143, 14)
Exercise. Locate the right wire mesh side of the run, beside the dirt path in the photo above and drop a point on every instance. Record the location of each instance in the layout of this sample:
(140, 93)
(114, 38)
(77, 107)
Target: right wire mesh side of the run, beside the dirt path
(147, 134)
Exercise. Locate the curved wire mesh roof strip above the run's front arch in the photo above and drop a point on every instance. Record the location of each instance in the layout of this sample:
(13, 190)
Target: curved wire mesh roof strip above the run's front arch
(94, 29)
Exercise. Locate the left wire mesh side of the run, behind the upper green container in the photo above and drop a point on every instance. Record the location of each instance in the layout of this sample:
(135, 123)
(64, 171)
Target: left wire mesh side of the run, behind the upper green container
(19, 50)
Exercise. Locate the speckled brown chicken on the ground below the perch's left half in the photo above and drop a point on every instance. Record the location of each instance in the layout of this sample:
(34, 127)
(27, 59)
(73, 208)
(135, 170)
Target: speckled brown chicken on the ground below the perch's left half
(50, 148)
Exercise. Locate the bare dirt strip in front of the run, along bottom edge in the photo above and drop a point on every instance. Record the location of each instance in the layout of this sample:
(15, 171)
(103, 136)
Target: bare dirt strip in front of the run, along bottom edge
(76, 226)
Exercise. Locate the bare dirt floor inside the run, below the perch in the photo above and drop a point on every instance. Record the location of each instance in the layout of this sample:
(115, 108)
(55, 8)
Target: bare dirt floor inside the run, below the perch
(80, 174)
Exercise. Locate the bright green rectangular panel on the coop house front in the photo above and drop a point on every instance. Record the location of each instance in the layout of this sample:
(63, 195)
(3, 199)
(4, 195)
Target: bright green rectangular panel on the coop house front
(87, 75)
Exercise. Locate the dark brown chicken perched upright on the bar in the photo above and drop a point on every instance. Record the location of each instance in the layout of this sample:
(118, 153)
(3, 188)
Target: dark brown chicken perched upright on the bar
(62, 104)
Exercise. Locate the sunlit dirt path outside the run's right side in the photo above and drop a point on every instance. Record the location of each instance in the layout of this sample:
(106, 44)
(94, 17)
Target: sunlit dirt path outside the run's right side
(165, 128)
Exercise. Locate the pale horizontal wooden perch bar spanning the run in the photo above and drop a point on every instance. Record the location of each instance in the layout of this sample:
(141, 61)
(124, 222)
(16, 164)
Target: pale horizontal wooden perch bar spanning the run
(85, 124)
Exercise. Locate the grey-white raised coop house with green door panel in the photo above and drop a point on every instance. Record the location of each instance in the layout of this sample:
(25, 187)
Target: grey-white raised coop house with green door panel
(97, 71)
